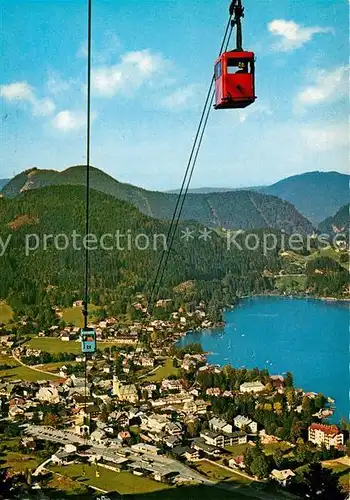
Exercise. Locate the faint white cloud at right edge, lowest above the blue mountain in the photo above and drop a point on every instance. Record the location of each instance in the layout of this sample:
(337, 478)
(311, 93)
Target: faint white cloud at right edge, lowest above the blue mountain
(326, 137)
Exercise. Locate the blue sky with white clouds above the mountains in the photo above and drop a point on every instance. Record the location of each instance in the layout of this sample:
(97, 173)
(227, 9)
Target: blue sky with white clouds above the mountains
(152, 62)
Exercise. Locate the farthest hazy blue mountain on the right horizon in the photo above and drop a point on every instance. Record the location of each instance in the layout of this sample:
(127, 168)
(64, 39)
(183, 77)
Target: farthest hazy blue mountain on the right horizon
(316, 195)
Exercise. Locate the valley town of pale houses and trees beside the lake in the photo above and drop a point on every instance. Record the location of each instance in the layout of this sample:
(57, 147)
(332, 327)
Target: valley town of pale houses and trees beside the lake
(148, 408)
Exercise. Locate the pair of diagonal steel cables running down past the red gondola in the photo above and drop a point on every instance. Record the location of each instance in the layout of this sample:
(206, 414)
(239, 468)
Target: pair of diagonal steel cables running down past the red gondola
(177, 213)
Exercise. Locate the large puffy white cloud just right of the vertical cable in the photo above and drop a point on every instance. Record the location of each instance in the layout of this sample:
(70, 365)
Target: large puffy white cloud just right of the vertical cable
(134, 70)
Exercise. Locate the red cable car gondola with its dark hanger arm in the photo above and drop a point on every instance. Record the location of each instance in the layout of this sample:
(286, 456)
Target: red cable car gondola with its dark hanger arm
(234, 70)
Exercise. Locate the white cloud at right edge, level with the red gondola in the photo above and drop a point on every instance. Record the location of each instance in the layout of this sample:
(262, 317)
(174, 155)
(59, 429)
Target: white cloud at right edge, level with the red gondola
(329, 86)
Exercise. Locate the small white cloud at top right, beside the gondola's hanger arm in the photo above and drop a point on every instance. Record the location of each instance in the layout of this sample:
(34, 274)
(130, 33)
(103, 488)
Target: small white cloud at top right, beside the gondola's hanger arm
(292, 35)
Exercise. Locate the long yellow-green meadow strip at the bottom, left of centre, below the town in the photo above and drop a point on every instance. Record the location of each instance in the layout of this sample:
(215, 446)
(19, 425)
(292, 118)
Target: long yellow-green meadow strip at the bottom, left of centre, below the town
(124, 483)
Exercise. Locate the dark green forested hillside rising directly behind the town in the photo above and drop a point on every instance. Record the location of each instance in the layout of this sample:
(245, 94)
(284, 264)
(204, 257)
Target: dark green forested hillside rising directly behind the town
(53, 276)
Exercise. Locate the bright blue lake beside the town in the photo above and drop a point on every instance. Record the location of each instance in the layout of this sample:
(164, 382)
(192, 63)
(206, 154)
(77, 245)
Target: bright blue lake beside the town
(308, 337)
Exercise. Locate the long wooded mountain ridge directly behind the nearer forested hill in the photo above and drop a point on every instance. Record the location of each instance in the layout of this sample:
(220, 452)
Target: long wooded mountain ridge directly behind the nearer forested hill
(239, 209)
